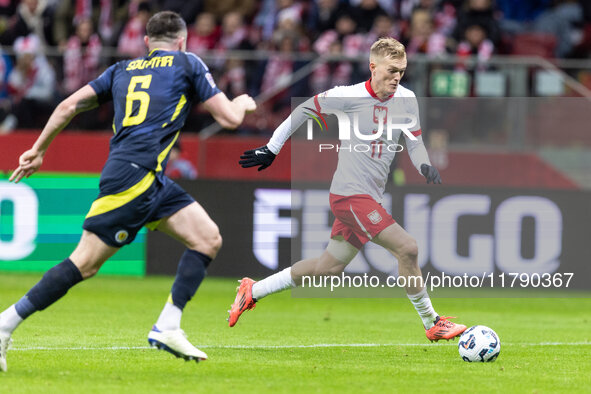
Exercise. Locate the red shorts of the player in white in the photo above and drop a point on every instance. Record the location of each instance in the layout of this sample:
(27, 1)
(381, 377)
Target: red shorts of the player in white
(359, 218)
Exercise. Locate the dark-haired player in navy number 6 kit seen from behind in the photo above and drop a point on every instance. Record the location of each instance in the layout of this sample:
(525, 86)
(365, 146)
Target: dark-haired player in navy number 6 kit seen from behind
(152, 97)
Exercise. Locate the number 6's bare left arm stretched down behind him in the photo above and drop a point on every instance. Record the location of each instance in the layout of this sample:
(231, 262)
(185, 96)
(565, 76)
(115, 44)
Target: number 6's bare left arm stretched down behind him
(30, 161)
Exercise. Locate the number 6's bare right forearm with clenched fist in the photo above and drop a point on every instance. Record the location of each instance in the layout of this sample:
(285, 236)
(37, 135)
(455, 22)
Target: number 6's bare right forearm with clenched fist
(229, 113)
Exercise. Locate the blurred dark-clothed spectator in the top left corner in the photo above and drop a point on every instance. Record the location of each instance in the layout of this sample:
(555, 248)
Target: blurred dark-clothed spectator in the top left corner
(32, 17)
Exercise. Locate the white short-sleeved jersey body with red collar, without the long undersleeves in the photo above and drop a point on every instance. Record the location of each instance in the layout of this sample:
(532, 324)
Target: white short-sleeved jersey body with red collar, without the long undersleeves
(364, 162)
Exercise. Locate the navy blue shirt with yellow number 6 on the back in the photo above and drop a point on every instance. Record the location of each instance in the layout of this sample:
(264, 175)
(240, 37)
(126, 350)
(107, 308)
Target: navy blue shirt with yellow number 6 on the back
(152, 97)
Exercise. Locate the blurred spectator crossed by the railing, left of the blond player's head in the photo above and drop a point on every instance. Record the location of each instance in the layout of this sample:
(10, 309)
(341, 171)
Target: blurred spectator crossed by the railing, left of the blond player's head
(341, 41)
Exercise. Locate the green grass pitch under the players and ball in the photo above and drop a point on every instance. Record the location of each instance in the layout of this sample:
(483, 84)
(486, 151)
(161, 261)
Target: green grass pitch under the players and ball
(95, 341)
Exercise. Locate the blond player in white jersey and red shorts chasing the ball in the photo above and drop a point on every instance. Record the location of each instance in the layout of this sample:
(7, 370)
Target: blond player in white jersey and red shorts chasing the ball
(357, 187)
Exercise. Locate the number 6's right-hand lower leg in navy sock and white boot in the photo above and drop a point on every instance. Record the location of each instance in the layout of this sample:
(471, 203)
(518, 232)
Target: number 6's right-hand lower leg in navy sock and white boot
(166, 334)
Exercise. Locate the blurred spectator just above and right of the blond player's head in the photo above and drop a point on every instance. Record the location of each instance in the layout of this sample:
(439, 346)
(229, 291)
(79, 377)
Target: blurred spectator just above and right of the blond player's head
(422, 38)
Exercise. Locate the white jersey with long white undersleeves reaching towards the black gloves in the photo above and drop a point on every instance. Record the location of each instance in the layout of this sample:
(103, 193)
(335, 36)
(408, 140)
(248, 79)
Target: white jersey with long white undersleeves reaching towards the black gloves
(367, 151)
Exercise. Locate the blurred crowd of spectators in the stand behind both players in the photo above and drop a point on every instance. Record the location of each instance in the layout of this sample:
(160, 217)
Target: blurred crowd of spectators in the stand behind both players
(83, 37)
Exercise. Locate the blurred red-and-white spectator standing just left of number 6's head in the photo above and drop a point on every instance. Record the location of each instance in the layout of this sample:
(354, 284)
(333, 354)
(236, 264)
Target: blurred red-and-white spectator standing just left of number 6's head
(82, 57)
